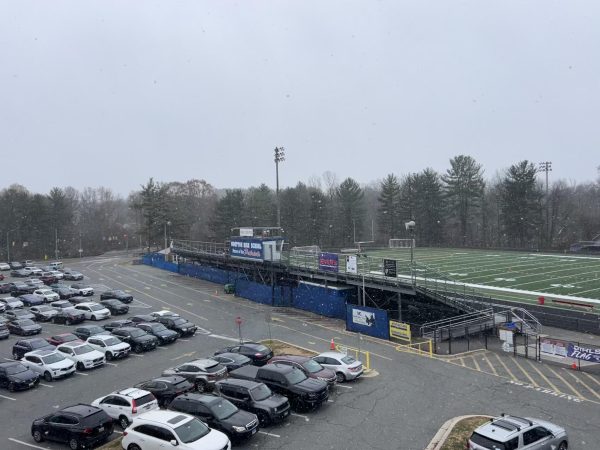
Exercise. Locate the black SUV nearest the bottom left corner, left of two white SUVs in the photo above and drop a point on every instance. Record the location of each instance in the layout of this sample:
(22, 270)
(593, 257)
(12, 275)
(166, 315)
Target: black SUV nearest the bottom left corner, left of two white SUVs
(78, 426)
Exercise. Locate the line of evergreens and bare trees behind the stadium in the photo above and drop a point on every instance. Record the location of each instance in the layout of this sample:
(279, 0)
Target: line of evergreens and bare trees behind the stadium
(457, 208)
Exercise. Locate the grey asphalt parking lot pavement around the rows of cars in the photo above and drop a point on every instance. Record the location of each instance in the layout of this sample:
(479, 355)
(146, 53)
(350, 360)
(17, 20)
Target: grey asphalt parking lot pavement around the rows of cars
(402, 407)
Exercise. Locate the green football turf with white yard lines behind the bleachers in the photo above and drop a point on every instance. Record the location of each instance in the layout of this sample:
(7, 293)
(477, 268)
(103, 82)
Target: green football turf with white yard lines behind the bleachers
(521, 276)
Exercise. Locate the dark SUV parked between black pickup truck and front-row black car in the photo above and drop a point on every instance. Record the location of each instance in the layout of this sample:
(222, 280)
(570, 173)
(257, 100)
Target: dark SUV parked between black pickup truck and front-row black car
(255, 397)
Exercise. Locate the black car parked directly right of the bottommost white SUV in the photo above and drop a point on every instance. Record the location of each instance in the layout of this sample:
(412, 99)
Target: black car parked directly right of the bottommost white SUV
(219, 414)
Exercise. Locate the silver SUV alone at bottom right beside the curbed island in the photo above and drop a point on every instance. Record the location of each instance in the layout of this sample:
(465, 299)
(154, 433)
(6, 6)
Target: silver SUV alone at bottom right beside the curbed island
(512, 432)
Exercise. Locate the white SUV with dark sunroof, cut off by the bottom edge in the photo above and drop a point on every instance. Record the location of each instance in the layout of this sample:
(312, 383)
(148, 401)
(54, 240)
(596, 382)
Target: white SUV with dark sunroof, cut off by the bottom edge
(156, 430)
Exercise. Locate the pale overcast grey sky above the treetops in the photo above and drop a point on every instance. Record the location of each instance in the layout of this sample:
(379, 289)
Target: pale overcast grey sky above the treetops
(110, 93)
